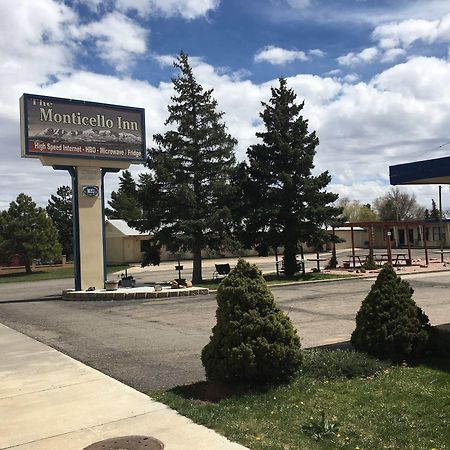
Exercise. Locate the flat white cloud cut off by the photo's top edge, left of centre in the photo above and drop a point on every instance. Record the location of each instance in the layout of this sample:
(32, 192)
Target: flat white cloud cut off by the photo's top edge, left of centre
(188, 9)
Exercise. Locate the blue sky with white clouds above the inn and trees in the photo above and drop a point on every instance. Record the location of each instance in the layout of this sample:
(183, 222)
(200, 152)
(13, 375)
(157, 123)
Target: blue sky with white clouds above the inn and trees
(375, 75)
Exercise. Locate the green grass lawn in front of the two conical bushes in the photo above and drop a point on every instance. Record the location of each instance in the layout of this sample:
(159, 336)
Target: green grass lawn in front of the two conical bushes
(398, 408)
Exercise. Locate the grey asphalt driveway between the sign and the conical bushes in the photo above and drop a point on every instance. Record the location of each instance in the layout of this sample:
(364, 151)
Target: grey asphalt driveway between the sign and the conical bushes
(157, 344)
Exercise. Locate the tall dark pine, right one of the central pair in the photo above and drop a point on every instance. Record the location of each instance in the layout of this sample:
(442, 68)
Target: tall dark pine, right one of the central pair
(285, 203)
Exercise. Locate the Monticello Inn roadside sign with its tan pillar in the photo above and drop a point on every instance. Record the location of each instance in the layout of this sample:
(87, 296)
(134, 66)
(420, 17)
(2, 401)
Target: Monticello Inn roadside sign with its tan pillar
(88, 140)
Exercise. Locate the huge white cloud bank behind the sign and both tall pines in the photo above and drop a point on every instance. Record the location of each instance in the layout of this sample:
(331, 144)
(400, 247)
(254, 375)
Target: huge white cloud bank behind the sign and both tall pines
(363, 127)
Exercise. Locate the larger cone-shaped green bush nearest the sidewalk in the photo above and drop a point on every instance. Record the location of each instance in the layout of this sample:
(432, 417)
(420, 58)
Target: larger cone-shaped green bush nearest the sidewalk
(253, 340)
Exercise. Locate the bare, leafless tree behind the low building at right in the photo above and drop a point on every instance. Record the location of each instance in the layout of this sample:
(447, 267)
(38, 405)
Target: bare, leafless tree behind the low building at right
(398, 205)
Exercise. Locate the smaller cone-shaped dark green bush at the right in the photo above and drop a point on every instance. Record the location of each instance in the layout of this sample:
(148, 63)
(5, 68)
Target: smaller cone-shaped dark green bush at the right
(389, 324)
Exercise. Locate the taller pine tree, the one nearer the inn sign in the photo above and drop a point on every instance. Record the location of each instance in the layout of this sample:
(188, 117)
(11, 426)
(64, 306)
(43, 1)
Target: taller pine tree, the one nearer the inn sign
(191, 166)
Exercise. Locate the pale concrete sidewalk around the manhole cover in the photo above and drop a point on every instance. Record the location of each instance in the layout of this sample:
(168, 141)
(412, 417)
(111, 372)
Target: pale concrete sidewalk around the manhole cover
(51, 401)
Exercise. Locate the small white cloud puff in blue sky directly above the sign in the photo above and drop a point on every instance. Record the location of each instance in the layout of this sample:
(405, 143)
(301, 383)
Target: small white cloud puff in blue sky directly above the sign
(118, 39)
